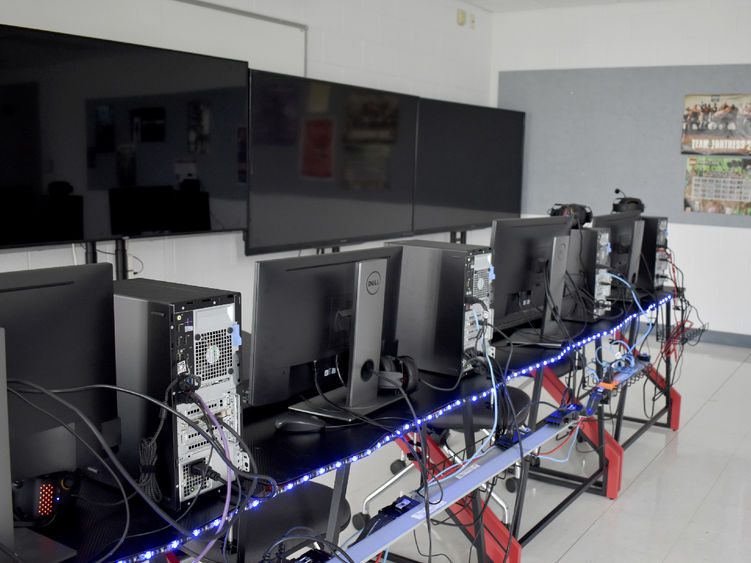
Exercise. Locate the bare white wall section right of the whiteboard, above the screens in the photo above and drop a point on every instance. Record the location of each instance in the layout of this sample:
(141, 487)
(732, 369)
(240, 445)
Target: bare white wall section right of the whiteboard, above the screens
(410, 46)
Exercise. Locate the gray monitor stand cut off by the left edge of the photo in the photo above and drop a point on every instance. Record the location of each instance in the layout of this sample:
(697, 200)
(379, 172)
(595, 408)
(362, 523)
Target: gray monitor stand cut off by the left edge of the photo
(26, 544)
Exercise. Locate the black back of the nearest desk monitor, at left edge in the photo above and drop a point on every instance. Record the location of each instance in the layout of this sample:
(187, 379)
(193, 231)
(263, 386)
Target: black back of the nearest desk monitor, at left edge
(59, 332)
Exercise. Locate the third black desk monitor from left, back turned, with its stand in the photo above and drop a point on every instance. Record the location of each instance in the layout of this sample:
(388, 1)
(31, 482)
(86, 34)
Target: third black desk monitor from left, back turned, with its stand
(529, 258)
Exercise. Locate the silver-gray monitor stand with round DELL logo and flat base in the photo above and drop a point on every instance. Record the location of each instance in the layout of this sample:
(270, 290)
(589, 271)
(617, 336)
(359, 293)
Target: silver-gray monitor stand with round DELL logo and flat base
(361, 394)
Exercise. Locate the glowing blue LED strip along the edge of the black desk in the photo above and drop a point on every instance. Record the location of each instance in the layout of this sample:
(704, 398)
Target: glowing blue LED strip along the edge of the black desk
(400, 432)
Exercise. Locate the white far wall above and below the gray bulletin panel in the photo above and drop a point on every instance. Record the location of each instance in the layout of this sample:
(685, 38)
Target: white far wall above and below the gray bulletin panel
(715, 260)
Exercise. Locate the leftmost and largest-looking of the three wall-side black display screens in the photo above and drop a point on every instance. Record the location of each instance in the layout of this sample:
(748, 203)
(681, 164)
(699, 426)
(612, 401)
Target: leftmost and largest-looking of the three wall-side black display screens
(102, 140)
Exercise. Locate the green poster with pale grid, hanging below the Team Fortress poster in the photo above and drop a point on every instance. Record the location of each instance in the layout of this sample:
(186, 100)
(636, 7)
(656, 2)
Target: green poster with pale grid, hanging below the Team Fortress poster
(716, 184)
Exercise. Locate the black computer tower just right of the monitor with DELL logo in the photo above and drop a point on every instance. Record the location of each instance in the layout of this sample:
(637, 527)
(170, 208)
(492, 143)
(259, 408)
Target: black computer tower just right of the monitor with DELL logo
(445, 311)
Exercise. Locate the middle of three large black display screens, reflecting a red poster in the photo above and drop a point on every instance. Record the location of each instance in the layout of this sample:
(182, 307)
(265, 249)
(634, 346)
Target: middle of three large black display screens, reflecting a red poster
(330, 163)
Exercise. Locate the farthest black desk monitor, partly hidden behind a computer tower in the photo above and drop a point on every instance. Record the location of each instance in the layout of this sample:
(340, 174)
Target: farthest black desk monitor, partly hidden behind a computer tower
(626, 232)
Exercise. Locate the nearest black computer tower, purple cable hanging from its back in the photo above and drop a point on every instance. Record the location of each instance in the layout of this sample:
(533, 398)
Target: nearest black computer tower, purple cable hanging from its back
(170, 336)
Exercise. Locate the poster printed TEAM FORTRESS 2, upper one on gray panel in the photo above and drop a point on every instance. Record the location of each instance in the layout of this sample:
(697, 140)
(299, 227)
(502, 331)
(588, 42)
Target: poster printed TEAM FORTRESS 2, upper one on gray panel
(716, 124)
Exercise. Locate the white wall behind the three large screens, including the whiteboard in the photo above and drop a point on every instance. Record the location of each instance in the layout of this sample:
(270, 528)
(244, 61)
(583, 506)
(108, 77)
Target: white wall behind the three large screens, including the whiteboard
(410, 46)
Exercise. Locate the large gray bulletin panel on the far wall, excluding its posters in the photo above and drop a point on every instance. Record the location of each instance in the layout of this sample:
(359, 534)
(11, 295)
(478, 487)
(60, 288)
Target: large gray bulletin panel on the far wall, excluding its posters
(589, 131)
